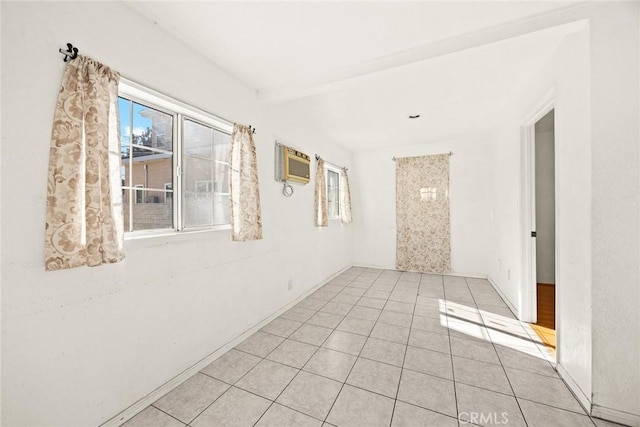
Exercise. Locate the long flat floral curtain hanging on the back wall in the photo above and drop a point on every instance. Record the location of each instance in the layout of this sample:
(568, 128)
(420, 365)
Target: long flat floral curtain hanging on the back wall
(422, 214)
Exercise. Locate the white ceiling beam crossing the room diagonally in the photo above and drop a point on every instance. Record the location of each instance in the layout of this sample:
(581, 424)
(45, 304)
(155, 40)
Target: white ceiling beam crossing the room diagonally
(569, 16)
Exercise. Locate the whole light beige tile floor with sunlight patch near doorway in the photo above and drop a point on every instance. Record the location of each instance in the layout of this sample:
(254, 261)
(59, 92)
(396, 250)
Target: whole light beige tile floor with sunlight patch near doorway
(380, 348)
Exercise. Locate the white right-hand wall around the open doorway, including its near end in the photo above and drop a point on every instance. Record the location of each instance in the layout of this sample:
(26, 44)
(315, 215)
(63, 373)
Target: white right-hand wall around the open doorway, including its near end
(595, 77)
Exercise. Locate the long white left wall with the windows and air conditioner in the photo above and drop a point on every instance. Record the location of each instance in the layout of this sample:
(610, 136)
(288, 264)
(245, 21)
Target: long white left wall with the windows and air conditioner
(79, 346)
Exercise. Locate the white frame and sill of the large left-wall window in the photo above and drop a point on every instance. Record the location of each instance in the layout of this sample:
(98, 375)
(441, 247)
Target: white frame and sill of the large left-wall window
(180, 111)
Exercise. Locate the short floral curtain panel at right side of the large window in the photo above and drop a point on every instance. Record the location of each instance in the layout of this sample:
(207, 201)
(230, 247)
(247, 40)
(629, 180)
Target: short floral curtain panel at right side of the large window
(246, 217)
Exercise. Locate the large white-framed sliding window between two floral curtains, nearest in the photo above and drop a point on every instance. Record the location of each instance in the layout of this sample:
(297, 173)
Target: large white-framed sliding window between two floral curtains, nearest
(174, 163)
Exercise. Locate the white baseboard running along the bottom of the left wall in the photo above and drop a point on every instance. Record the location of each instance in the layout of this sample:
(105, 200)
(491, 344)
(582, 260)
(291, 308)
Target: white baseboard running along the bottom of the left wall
(141, 404)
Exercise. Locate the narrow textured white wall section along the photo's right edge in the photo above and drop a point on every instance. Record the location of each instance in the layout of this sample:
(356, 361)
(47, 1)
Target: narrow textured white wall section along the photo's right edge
(615, 145)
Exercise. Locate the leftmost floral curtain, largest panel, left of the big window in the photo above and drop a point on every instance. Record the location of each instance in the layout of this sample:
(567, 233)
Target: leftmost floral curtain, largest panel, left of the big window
(84, 222)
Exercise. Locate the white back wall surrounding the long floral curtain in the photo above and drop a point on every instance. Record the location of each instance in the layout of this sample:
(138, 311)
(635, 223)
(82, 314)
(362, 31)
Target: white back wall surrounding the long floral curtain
(373, 191)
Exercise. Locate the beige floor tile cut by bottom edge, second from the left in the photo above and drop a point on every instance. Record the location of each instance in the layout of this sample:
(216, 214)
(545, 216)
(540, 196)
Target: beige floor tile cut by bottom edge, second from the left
(234, 408)
